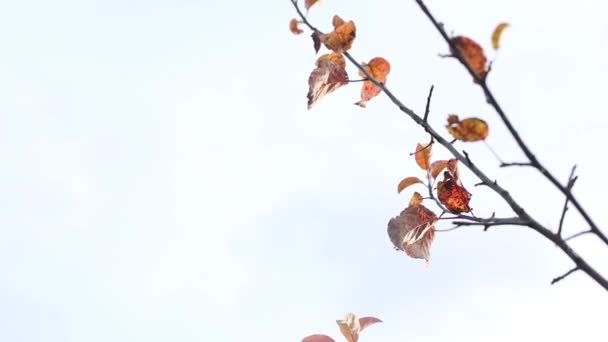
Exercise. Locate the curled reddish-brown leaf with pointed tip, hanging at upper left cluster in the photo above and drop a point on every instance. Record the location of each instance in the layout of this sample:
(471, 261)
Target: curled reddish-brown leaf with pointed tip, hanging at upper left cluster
(326, 78)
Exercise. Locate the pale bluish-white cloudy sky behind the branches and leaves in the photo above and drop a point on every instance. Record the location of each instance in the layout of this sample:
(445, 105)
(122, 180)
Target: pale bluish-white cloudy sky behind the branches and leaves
(162, 179)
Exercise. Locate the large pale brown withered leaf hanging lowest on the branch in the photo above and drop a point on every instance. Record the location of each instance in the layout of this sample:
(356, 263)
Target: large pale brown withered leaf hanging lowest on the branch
(413, 231)
